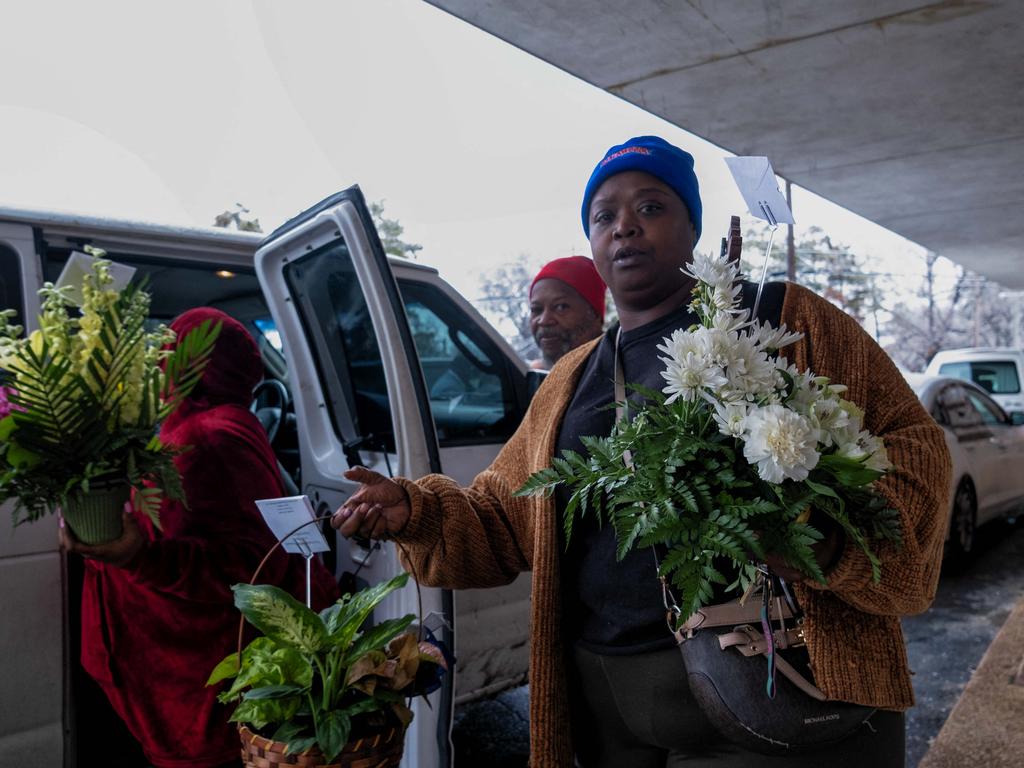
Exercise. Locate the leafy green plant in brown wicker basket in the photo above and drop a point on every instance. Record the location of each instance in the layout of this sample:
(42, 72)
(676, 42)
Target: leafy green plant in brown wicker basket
(322, 686)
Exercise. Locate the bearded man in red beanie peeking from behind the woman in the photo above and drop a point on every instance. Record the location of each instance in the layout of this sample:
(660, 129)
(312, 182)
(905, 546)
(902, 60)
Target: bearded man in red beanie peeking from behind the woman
(567, 307)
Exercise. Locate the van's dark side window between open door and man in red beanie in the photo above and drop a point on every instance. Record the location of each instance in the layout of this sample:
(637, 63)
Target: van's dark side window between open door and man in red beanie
(472, 385)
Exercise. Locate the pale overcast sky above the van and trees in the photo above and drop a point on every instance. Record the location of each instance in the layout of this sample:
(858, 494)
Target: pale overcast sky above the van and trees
(175, 112)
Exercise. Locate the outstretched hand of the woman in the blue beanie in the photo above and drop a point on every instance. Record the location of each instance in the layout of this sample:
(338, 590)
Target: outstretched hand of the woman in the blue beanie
(378, 510)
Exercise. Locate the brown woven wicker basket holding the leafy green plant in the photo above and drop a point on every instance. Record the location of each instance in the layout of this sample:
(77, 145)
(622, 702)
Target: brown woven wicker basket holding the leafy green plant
(382, 750)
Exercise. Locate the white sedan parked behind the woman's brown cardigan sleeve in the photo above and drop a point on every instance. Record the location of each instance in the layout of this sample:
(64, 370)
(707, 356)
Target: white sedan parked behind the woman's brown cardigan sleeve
(988, 451)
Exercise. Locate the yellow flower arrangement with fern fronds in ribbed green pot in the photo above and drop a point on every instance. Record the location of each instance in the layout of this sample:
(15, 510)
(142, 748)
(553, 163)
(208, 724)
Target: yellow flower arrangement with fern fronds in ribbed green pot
(81, 402)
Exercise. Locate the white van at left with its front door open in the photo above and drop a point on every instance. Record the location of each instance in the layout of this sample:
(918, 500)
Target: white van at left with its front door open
(364, 358)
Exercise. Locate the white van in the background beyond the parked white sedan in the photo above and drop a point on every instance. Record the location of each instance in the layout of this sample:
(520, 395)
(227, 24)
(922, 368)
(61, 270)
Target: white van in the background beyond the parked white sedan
(999, 371)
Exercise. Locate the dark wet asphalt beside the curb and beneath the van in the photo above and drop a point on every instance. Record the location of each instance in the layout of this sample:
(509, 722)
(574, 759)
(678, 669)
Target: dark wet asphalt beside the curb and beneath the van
(946, 647)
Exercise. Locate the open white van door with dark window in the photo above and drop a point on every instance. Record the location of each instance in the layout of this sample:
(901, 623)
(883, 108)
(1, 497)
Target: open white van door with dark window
(360, 398)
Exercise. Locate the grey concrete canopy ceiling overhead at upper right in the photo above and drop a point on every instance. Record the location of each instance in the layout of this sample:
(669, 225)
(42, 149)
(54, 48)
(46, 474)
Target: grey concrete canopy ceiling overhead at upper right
(908, 113)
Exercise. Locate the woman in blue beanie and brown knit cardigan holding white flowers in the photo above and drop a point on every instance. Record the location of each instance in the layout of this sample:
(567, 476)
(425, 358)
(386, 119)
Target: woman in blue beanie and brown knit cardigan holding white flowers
(608, 686)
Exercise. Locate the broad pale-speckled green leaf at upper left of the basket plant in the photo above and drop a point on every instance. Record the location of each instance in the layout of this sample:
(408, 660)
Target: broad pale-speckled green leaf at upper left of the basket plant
(281, 617)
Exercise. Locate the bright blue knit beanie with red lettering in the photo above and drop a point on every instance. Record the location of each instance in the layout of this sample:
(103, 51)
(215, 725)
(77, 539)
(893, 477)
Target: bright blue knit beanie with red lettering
(655, 156)
